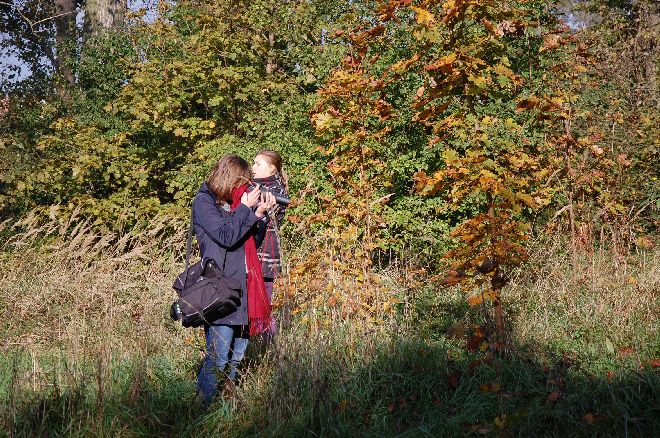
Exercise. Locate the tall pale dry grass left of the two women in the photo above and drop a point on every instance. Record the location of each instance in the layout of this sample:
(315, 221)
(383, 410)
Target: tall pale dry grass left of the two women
(64, 285)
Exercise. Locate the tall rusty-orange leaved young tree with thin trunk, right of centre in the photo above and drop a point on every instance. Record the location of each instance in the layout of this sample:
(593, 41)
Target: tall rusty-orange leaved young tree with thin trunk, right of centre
(468, 56)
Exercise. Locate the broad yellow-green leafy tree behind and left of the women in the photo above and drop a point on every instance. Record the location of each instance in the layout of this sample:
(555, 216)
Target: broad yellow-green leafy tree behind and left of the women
(147, 132)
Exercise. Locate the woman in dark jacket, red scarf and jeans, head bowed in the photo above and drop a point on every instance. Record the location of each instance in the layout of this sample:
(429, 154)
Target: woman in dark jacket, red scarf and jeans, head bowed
(226, 227)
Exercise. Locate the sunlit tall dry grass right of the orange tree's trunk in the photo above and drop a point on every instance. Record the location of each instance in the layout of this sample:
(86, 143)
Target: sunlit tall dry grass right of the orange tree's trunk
(611, 306)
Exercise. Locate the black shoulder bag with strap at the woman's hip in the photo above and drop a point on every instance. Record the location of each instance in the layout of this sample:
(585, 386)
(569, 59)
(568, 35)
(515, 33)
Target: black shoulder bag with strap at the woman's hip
(205, 294)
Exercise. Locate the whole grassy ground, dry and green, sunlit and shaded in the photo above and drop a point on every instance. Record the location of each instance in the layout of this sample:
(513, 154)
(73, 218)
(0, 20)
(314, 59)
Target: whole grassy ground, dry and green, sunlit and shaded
(88, 350)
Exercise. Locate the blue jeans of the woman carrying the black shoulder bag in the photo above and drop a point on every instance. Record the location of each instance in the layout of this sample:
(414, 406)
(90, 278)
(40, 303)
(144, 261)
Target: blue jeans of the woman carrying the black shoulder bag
(220, 352)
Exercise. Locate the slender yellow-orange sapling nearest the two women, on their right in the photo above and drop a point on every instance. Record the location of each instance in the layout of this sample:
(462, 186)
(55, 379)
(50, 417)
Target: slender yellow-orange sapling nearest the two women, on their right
(350, 117)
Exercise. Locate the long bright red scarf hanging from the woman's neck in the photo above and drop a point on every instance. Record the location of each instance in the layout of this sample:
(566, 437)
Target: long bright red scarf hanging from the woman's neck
(259, 309)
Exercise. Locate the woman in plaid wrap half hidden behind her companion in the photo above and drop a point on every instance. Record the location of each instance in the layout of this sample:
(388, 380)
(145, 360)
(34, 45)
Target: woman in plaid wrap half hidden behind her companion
(267, 171)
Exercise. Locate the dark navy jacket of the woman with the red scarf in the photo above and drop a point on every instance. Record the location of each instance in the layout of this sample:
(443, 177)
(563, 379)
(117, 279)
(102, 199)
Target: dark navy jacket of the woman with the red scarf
(219, 233)
